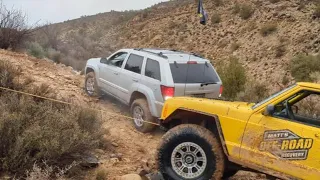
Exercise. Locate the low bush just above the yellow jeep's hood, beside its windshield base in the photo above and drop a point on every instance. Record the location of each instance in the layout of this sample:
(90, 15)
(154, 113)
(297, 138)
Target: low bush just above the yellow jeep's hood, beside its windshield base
(254, 92)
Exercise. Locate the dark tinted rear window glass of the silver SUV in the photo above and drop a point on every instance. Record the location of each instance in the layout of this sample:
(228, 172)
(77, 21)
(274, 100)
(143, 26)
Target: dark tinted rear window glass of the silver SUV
(193, 73)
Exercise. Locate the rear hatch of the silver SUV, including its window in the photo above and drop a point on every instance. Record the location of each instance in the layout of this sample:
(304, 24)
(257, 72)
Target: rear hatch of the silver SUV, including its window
(196, 79)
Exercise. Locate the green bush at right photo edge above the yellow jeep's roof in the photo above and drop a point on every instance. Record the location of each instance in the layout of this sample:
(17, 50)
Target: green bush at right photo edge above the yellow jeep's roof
(302, 66)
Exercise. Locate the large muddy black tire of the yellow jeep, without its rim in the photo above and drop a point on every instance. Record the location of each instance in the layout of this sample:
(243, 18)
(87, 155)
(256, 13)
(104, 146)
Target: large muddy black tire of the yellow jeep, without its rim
(195, 134)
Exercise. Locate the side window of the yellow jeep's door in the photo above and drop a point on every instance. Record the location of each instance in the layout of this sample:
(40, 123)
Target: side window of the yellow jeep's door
(302, 107)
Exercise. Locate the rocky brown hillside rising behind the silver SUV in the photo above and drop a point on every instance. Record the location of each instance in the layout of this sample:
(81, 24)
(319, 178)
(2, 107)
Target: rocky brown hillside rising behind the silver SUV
(264, 34)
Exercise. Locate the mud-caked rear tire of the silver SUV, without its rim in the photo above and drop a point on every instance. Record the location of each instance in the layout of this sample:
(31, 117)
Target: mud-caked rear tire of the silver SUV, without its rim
(147, 116)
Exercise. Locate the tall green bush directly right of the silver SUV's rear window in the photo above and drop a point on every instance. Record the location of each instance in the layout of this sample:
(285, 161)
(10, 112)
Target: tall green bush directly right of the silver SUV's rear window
(233, 78)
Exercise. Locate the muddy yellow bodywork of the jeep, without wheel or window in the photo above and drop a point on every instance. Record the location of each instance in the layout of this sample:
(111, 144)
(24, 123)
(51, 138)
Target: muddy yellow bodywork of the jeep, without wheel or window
(273, 144)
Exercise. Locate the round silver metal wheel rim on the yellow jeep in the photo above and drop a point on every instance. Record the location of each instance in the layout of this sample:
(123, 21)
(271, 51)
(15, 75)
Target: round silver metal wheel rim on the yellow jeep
(188, 160)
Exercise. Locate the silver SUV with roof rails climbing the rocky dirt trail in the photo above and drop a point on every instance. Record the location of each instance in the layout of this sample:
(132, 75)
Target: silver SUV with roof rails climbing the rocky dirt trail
(145, 78)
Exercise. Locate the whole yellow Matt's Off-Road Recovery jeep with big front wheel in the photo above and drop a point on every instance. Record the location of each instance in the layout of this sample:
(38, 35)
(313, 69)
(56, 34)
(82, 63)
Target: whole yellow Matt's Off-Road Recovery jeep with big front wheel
(212, 139)
